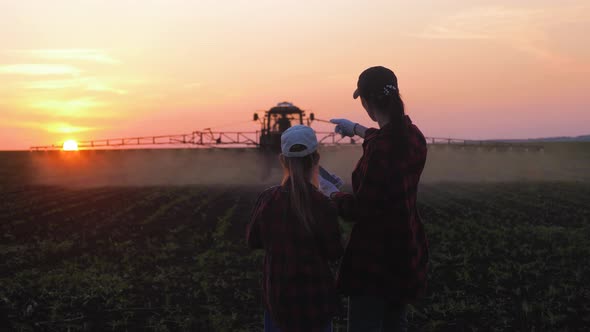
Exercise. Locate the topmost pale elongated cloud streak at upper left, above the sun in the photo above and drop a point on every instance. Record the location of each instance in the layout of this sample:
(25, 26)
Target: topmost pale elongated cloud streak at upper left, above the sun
(90, 55)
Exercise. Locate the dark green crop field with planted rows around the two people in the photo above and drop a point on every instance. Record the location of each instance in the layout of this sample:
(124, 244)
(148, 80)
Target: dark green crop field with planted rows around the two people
(505, 255)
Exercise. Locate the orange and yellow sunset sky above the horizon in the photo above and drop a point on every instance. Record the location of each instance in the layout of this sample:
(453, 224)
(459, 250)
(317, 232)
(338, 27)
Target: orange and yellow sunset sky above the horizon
(466, 69)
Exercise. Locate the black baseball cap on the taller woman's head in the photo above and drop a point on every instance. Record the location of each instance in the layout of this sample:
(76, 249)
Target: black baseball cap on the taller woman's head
(375, 81)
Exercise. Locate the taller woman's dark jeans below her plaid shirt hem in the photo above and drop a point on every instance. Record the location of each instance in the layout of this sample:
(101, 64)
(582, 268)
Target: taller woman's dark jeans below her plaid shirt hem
(374, 314)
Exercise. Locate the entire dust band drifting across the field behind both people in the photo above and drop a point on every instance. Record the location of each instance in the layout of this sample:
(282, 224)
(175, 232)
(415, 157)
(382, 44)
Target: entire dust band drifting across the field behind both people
(558, 162)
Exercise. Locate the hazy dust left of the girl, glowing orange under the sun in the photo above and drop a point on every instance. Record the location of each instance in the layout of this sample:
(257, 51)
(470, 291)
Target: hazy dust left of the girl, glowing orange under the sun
(149, 167)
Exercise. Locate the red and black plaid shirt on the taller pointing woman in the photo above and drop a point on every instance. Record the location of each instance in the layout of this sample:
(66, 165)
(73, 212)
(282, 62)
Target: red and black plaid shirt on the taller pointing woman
(387, 252)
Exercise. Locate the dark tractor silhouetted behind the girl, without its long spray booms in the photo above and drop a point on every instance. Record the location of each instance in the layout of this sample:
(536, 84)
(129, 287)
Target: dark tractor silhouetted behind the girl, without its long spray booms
(276, 121)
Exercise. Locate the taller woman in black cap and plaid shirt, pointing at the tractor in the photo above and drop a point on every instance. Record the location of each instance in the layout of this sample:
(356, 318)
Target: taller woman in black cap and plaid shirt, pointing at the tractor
(384, 264)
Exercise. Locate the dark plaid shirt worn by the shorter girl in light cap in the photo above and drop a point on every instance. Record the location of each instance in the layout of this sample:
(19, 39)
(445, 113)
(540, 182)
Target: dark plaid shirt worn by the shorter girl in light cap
(298, 286)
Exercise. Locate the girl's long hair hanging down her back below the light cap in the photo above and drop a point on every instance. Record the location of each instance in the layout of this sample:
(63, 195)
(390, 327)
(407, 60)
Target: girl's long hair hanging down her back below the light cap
(301, 169)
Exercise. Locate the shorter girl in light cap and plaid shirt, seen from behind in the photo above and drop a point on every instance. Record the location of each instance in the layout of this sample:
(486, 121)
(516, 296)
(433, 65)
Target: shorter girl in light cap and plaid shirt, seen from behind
(297, 227)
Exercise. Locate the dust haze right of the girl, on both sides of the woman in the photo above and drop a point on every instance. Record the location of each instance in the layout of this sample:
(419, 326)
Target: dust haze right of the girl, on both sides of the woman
(448, 163)
